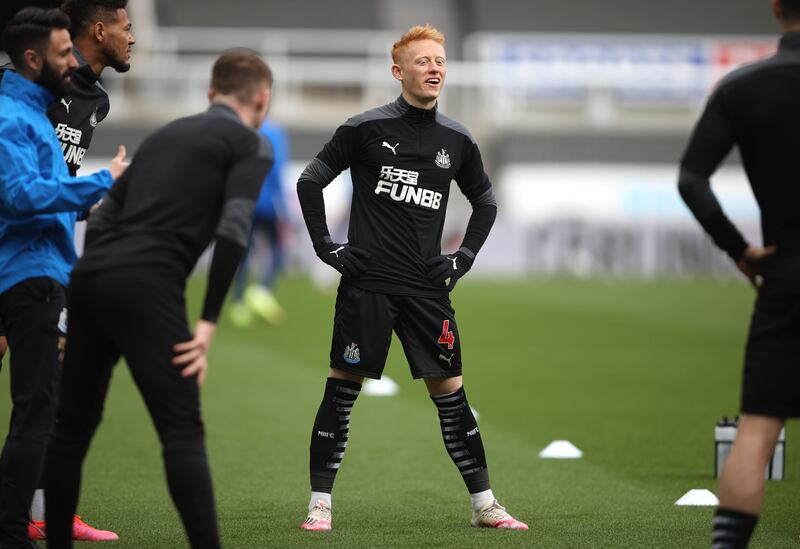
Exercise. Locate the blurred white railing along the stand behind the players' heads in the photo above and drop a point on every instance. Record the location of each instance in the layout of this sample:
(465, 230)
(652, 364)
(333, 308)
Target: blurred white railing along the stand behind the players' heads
(519, 81)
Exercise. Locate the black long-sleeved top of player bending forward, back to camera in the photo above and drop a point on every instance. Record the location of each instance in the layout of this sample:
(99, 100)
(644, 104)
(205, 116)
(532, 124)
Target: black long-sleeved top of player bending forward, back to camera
(194, 180)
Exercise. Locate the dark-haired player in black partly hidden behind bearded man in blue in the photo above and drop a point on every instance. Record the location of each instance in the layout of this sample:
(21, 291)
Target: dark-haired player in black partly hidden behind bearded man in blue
(101, 34)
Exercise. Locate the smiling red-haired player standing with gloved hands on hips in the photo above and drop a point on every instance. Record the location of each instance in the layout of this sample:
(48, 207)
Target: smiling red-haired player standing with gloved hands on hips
(402, 157)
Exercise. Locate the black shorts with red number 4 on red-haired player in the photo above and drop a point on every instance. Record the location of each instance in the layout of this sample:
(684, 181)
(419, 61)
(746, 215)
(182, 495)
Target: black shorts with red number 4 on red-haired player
(362, 332)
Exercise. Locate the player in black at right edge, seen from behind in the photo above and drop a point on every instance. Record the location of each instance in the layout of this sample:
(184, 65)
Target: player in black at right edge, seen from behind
(756, 109)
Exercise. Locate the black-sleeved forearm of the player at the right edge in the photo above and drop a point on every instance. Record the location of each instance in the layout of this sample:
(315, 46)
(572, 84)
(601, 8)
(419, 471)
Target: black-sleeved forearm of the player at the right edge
(698, 196)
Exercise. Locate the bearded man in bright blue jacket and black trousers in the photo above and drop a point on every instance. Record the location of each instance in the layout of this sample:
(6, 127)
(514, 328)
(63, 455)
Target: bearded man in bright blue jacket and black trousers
(39, 203)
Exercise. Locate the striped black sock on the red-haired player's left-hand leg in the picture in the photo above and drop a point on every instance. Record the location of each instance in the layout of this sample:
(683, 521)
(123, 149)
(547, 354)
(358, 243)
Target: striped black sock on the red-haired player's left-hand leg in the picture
(331, 431)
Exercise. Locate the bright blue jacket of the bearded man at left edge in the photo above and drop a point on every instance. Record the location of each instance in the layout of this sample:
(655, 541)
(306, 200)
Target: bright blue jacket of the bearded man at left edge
(39, 201)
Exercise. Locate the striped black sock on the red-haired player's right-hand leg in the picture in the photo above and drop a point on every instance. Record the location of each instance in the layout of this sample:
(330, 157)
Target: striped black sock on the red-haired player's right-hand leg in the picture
(462, 439)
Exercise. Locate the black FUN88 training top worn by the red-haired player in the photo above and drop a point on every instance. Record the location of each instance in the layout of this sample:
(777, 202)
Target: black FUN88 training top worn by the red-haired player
(402, 160)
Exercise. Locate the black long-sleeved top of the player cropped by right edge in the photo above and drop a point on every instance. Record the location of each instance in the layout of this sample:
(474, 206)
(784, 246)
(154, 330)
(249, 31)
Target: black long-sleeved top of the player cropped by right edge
(756, 108)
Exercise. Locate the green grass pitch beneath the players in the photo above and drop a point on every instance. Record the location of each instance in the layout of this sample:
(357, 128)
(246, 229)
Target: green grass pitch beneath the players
(634, 373)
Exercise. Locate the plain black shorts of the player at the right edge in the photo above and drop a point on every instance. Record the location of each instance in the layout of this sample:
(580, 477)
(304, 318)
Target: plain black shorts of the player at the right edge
(771, 385)
